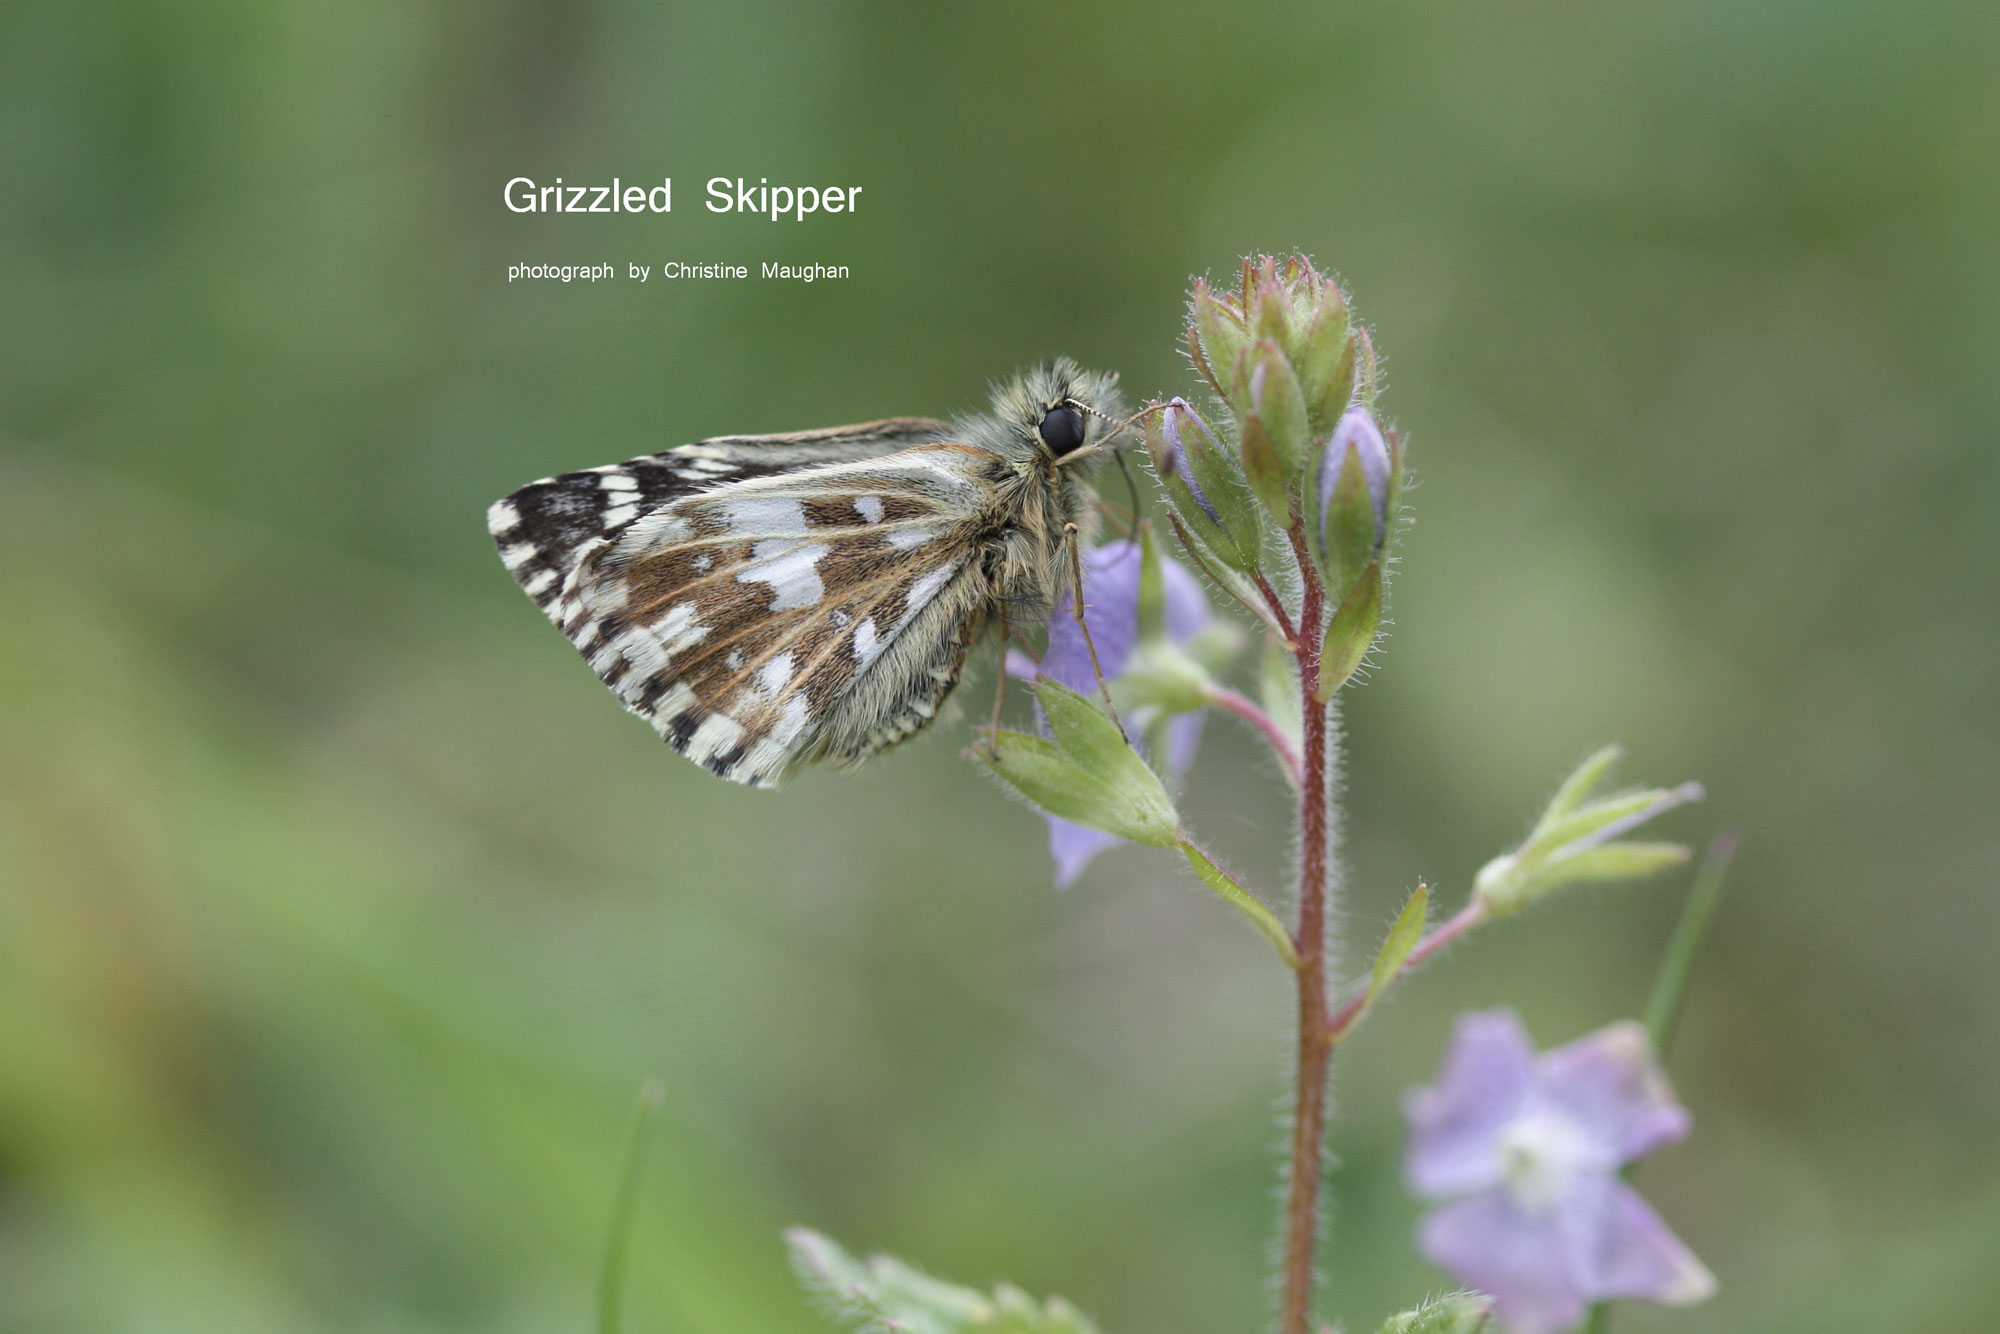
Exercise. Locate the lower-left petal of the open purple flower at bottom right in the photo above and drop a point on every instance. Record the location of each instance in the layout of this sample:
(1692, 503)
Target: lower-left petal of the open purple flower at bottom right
(1519, 1259)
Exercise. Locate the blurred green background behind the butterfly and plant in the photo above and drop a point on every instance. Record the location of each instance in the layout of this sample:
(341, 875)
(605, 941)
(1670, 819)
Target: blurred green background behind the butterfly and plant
(343, 913)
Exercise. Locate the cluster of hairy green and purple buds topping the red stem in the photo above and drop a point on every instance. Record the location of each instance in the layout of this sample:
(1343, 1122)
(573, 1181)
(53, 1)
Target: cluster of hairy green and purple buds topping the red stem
(1293, 449)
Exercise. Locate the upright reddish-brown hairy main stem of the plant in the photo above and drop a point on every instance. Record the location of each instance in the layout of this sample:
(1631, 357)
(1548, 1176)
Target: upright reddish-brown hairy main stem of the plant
(1315, 1039)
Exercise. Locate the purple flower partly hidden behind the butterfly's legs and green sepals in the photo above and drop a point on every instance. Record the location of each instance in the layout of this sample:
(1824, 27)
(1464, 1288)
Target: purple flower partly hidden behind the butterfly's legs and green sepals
(1111, 607)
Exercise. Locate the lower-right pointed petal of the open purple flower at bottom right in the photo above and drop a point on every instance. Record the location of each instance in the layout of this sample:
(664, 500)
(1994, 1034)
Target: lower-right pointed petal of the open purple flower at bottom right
(1621, 1249)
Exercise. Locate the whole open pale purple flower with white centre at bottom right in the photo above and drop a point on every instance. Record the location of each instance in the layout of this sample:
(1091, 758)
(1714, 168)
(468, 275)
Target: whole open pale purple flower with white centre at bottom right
(1527, 1153)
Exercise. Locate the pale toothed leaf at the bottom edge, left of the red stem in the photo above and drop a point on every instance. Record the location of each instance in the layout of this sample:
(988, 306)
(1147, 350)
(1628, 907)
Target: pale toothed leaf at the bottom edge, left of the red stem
(889, 1297)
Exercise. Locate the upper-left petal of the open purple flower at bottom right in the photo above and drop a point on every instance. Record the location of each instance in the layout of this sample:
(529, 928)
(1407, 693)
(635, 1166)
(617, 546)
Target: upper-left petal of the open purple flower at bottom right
(1457, 1123)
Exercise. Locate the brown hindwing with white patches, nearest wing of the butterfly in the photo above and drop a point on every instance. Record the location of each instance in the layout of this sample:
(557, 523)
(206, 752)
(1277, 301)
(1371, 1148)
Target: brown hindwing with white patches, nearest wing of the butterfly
(819, 613)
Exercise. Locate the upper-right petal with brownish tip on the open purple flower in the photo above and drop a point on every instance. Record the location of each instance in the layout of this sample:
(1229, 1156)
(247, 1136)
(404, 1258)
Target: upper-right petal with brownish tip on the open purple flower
(1611, 1083)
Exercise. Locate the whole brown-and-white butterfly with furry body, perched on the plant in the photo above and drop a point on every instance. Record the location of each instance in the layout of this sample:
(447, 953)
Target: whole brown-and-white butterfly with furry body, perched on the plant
(775, 601)
